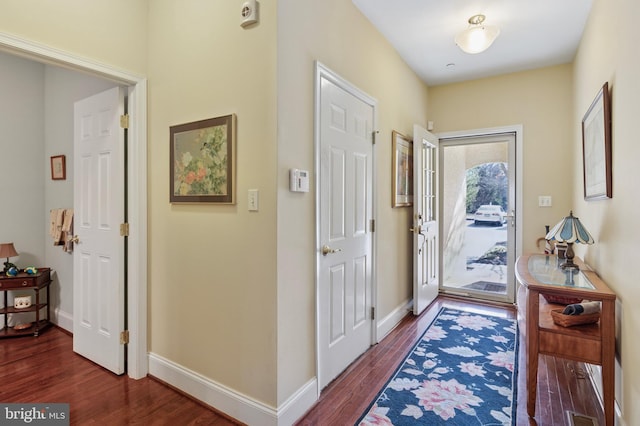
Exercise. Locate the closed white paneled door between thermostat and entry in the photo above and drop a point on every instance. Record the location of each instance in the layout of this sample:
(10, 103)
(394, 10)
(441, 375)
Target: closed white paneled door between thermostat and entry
(345, 211)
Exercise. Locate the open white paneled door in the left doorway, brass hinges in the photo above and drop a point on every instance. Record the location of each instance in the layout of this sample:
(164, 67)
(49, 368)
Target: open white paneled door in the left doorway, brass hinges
(98, 256)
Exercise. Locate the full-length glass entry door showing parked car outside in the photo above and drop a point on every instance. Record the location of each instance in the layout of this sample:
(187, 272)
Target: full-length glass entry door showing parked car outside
(478, 216)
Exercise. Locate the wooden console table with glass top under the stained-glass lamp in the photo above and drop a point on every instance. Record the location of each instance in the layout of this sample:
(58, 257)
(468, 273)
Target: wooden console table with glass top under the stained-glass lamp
(540, 274)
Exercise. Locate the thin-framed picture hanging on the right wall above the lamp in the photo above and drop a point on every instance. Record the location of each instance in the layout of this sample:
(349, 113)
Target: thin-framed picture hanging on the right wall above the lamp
(596, 147)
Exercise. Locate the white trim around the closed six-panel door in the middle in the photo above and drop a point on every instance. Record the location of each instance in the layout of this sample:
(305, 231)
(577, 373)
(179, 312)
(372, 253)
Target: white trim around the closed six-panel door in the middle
(322, 72)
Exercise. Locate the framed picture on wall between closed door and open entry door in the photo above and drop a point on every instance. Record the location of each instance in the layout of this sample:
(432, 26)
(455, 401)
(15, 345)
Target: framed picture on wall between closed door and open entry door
(402, 170)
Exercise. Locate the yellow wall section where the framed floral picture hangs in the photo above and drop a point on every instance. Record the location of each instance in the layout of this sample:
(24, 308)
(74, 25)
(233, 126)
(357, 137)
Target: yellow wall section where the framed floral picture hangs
(212, 268)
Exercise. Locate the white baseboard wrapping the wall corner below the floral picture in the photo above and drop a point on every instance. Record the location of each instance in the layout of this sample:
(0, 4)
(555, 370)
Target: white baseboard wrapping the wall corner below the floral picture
(231, 402)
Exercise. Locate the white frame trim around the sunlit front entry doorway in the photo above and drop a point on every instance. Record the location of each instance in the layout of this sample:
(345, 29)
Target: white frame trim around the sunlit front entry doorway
(517, 129)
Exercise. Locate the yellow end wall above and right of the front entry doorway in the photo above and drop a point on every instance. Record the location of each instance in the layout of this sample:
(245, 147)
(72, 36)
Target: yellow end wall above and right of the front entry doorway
(540, 100)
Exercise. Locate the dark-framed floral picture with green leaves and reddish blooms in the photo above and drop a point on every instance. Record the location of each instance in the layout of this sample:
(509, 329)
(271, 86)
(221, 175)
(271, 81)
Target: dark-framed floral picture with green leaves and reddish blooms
(203, 161)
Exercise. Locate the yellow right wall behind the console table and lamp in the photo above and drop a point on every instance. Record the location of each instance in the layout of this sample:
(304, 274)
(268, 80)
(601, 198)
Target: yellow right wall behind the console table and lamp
(609, 52)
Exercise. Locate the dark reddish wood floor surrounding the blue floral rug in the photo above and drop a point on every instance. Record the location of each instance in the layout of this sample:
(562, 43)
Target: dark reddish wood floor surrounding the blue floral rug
(45, 369)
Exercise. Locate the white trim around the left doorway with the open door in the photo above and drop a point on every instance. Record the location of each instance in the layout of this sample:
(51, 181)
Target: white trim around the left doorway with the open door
(137, 185)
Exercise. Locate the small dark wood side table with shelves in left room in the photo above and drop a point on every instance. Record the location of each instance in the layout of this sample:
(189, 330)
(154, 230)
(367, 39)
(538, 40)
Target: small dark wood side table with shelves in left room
(34, 283)
